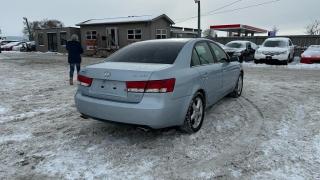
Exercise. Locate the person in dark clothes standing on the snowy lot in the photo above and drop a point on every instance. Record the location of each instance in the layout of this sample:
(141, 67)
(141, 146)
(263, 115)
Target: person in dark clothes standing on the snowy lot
(75, 50)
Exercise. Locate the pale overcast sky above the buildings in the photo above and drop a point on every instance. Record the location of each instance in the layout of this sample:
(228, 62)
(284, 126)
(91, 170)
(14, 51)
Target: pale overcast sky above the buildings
(290, 16)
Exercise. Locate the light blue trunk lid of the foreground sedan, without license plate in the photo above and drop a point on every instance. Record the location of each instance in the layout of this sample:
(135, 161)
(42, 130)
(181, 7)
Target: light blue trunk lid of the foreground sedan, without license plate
(110, 78)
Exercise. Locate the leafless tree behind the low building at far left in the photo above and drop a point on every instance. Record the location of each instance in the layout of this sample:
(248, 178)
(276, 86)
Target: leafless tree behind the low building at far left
(43, 24)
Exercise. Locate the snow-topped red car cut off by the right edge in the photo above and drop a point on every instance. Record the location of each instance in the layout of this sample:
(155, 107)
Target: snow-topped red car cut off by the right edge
(311, 55)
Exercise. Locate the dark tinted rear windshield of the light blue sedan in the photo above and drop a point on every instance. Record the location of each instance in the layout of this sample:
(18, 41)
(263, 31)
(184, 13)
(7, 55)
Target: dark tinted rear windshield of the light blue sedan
(148, 52)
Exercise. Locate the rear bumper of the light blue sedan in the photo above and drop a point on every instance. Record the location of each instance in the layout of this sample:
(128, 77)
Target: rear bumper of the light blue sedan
(155, 111)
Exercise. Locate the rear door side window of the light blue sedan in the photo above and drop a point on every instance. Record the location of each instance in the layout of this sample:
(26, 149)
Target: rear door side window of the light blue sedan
(204, 53)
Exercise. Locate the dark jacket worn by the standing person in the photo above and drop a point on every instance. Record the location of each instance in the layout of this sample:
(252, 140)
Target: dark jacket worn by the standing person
(74, 50)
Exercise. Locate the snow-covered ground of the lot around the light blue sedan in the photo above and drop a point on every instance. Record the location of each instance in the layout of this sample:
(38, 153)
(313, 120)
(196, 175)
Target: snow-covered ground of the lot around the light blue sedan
(271, 132)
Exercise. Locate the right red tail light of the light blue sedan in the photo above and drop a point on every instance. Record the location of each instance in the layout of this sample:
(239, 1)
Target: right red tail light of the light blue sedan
(155, 86)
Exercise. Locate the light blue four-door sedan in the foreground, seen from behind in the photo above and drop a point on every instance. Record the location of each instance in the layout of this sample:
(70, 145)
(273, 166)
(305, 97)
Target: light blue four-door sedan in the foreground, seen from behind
(159, 83)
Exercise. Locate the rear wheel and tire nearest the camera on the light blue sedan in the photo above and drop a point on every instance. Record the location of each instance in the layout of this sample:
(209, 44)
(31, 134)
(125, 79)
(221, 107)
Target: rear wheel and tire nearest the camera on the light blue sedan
(195, 115)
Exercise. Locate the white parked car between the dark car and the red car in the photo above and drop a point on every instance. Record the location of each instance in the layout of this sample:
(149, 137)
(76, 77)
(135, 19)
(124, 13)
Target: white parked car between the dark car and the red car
(275, 50)
